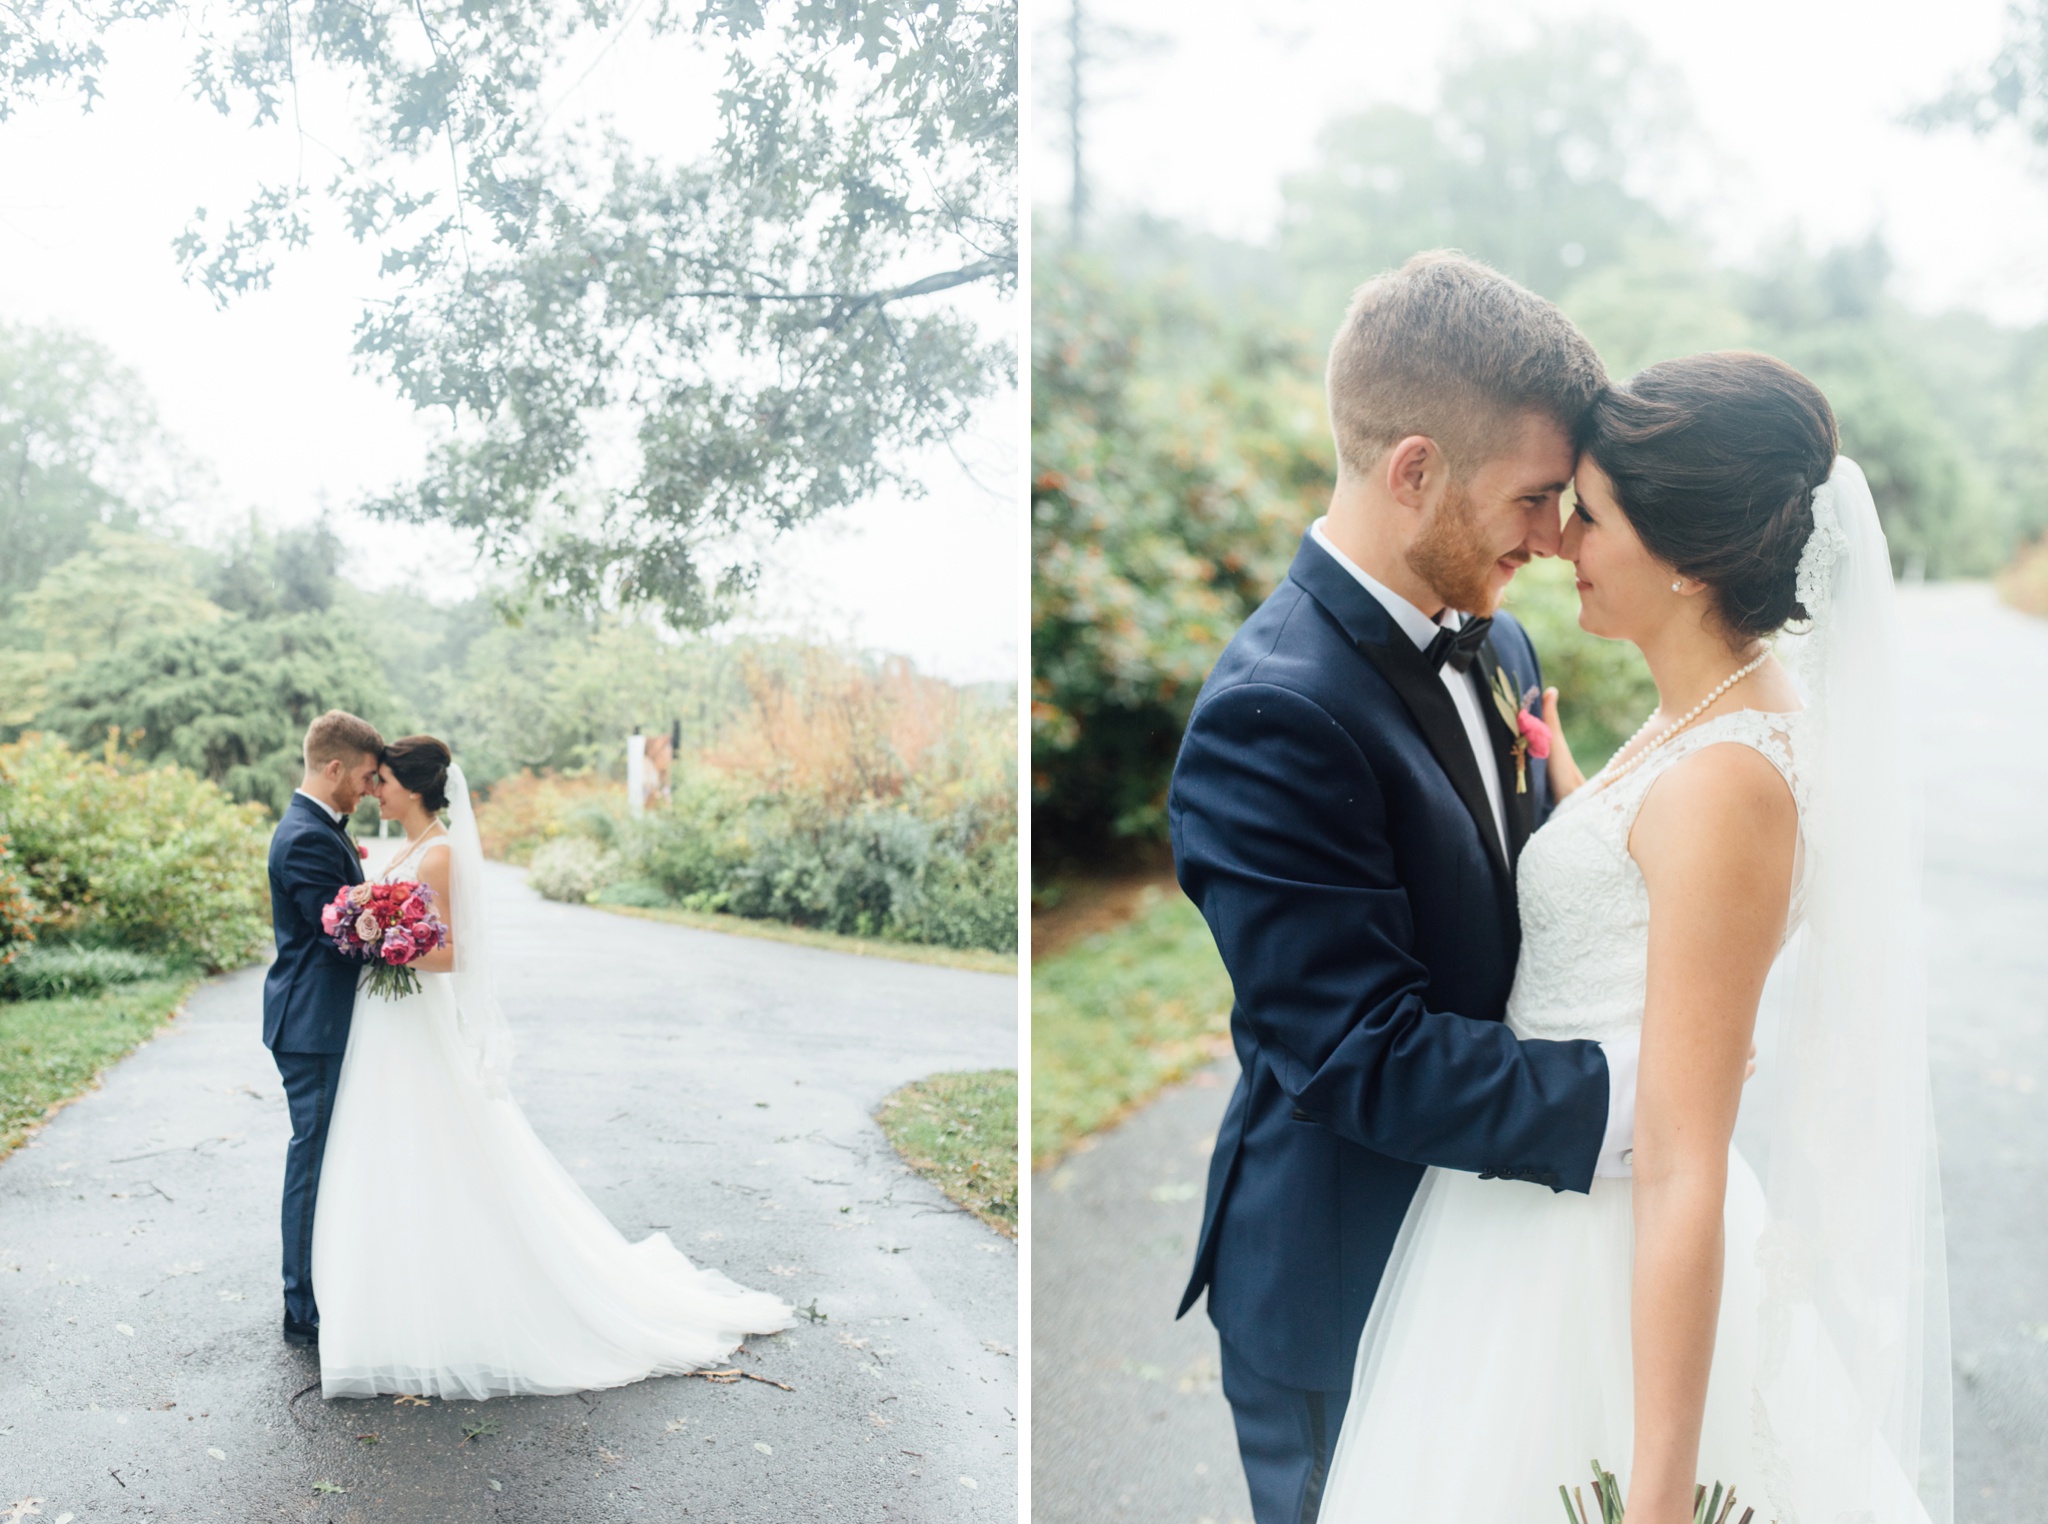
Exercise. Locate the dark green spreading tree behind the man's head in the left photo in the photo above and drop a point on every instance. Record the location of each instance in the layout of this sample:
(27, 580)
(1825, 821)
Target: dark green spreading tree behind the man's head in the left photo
(228, 702)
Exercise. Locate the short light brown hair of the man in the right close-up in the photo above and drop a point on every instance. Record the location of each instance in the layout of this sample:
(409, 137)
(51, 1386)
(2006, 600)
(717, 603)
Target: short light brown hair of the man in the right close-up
(1457, 353)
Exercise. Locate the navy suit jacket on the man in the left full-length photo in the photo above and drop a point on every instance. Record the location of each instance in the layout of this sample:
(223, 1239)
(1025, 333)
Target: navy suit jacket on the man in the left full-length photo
(312, 990)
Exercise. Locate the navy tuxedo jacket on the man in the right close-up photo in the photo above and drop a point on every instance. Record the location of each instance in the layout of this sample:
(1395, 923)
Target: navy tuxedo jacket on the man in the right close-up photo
(1332, 824)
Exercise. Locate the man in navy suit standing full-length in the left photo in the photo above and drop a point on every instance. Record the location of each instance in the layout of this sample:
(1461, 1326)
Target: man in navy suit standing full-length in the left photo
(310, 992)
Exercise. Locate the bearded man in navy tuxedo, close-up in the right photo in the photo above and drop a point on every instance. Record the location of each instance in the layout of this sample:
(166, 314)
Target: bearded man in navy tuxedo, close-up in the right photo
(1347, 812)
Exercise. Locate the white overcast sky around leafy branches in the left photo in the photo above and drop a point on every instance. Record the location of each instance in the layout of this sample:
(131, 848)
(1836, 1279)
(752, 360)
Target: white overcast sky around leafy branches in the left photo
(269, 398)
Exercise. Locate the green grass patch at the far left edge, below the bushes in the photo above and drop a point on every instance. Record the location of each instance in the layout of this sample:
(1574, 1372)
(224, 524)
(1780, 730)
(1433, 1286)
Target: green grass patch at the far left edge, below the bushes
(54, 1050)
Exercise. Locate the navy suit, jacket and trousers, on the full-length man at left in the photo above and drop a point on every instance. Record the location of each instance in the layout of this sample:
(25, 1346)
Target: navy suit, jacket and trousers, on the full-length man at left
(308, 1001)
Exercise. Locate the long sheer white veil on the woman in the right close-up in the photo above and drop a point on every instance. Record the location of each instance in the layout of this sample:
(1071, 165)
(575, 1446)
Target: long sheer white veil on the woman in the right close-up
(1852, 1380)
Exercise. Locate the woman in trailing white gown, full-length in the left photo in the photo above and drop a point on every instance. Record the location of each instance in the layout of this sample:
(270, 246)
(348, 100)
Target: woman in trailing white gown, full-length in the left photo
(454, 1255)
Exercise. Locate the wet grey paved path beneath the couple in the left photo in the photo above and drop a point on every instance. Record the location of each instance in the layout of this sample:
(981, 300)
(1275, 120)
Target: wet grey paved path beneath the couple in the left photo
(706, 1085)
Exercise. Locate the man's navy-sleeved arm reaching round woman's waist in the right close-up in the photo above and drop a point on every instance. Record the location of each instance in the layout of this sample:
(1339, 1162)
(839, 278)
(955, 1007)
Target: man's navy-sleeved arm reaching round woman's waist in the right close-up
(1281, 839)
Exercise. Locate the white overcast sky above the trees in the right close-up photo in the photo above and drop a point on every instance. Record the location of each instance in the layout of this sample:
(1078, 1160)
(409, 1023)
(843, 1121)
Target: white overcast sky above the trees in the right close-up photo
(1799, 97)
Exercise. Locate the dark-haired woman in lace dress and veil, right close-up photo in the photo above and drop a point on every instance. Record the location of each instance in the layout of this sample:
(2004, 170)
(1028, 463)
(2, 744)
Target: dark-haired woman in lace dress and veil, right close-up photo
(1762, 1304)
